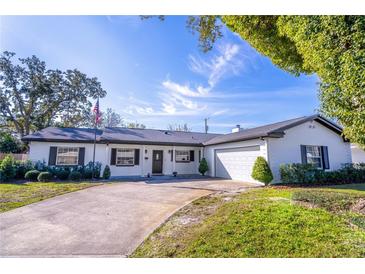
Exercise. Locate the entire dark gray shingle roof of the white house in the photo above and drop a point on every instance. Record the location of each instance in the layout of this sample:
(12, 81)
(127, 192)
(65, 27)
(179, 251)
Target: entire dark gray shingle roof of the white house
(167, 137)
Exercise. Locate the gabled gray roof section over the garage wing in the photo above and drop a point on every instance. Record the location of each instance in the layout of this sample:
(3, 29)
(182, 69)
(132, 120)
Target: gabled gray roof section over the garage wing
(271, 130)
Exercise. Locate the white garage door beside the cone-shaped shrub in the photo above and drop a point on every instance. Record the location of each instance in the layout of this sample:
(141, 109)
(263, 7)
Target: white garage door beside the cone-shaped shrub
(236, 163)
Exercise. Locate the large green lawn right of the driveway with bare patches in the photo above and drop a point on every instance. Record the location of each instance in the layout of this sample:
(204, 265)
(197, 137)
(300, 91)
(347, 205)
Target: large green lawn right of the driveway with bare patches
(268, 222)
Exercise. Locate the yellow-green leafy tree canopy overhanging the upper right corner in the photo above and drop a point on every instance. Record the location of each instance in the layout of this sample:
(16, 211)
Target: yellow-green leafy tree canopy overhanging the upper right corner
(333, 47)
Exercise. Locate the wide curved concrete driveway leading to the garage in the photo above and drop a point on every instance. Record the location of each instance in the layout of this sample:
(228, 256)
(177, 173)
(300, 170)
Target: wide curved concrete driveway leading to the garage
(107, 220)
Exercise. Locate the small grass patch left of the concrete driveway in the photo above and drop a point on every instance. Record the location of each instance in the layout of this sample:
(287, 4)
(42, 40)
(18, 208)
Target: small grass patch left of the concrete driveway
(17, 195)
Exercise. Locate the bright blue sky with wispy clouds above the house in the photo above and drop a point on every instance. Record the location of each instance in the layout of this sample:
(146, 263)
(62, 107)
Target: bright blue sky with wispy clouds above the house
(155, 74)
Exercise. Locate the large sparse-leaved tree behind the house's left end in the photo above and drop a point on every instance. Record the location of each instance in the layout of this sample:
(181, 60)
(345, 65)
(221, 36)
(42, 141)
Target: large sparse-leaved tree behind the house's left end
(33, 97)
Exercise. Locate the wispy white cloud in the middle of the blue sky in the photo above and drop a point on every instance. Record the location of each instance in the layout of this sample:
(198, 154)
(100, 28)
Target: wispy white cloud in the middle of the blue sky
(185, 99)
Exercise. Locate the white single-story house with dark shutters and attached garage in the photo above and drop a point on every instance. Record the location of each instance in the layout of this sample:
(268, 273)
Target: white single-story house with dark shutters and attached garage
(139, 152)
